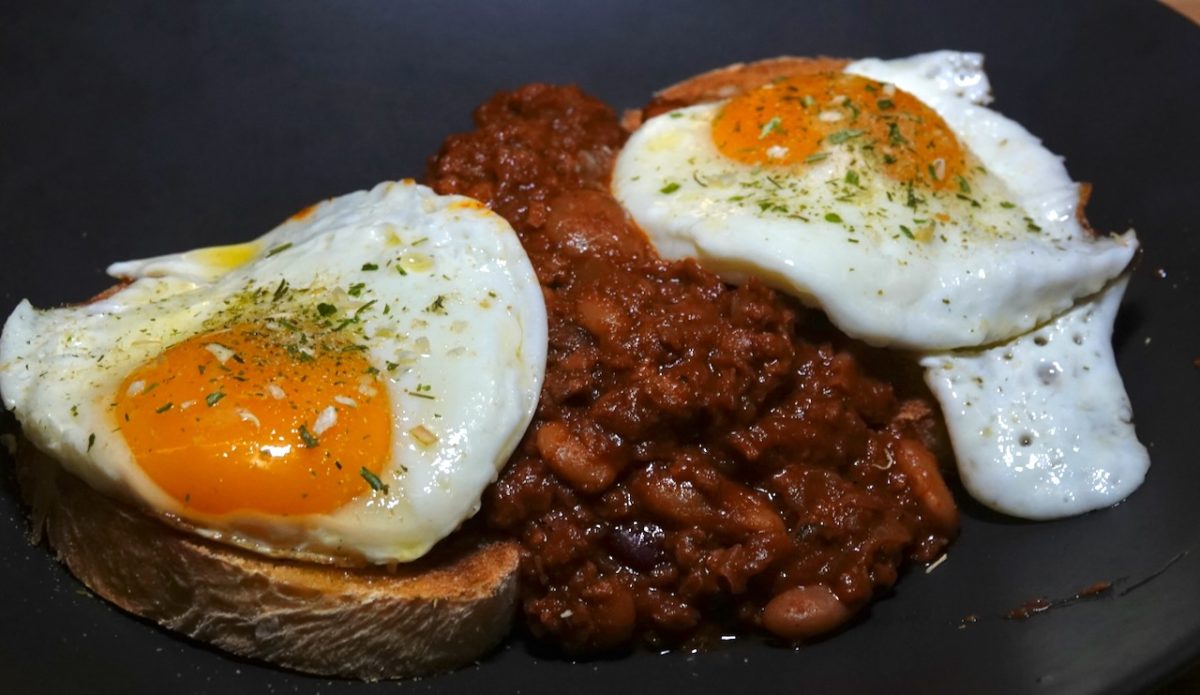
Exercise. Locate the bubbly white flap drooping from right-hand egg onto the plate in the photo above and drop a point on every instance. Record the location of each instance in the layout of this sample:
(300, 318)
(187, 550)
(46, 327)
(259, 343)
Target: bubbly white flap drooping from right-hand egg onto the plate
(1042, 427)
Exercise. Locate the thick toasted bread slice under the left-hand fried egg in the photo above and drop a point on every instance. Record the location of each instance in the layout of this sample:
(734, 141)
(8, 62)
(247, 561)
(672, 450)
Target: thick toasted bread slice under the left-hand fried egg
(440, 613)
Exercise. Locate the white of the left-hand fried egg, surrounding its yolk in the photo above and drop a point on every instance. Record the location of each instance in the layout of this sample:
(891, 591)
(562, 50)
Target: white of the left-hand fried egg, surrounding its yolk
(478, 361)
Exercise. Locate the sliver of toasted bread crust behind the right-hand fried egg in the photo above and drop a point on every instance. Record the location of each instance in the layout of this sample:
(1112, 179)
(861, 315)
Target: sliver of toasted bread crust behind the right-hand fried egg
(727, 82)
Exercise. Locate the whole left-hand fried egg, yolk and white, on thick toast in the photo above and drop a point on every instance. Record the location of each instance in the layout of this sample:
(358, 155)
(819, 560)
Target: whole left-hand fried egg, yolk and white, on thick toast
(341, 390)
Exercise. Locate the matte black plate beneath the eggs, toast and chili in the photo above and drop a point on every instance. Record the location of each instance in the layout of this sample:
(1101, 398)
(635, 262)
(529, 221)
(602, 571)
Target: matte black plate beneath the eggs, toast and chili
(135, 130)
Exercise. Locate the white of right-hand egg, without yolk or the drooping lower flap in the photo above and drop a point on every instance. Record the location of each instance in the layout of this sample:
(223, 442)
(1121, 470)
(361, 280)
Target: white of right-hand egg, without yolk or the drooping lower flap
(1012, 256)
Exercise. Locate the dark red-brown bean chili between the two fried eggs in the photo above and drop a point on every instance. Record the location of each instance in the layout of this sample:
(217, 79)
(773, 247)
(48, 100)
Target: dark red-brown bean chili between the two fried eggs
(697, 463)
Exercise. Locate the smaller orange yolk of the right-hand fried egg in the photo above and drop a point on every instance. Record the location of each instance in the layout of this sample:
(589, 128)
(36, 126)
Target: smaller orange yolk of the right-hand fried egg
(802, 119)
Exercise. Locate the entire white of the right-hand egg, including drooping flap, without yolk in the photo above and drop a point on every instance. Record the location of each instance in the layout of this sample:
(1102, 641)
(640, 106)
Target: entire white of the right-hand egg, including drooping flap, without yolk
(1040, 422)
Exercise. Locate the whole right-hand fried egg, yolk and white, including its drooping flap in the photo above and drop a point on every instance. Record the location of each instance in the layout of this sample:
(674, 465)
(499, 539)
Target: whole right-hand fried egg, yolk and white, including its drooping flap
(892, 199)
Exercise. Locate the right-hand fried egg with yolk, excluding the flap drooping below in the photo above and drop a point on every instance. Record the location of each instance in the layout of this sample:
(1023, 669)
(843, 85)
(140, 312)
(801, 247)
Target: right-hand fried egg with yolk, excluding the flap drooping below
(916, 225)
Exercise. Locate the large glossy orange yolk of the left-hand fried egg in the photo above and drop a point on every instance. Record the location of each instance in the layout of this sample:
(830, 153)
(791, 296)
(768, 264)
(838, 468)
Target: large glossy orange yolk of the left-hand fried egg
(254, 418)
